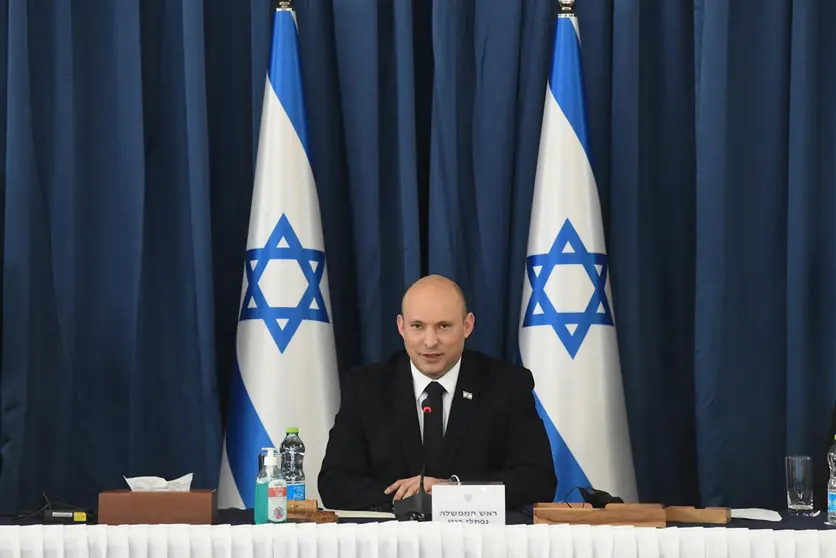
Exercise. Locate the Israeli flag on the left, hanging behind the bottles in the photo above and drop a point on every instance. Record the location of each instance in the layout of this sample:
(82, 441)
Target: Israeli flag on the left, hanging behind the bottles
(286, 372)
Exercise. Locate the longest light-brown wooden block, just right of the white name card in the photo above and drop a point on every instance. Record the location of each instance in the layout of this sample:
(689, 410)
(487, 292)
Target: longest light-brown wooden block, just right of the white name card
(637, 515)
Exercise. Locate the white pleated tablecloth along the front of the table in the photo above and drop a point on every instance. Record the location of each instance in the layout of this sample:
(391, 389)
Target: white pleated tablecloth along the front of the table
(407, 540)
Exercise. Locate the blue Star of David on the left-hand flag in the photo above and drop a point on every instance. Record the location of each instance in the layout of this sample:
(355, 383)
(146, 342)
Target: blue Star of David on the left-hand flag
(283, 244)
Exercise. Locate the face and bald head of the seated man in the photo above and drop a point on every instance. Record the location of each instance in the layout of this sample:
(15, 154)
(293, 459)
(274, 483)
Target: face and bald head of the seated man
(434, 326)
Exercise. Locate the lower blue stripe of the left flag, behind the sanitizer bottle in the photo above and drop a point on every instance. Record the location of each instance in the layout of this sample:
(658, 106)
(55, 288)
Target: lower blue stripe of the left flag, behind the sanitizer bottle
(245, 436)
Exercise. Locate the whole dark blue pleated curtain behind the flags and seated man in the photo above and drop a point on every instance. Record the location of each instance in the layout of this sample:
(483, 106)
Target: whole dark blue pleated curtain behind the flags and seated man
(127, 152)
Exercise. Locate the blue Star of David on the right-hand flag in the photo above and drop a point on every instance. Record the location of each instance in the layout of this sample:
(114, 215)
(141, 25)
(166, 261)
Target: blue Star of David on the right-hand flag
(567, 249)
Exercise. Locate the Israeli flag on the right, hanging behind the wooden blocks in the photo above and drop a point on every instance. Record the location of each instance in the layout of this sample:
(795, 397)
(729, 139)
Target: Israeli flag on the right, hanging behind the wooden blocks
(567, 330)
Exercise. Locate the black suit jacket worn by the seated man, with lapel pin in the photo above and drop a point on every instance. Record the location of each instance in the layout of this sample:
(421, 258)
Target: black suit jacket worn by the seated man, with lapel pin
(496, 435)
